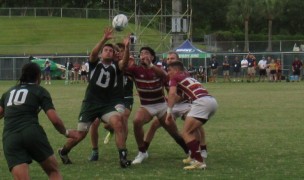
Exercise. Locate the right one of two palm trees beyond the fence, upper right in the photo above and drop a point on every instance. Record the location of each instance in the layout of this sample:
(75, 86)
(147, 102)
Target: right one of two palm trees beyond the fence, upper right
(271, 9)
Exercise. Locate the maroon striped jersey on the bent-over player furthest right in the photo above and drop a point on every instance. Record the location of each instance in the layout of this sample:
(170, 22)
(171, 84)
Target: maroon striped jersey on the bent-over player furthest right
(191, 88)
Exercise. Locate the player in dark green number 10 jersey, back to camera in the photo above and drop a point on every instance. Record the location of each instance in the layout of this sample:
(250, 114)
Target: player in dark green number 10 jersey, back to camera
(24, 139)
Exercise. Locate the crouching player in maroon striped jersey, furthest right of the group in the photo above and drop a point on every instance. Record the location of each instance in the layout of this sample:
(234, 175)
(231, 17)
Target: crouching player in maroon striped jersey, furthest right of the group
(202, 108)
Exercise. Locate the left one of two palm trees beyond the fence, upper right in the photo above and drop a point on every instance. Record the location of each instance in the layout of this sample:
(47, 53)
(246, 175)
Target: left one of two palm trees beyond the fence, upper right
(241, 10)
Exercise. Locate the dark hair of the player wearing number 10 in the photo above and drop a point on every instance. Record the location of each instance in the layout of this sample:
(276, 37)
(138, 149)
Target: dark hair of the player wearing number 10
(30, 73)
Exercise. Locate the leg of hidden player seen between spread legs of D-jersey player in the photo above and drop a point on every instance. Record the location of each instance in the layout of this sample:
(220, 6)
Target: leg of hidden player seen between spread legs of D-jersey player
(94, 140)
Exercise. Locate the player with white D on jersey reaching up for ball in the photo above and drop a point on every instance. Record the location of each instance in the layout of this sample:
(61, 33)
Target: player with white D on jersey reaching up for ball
(101, 97)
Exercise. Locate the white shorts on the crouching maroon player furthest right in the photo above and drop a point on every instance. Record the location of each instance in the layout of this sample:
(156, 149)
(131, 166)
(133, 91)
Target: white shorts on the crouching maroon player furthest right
(203, 107)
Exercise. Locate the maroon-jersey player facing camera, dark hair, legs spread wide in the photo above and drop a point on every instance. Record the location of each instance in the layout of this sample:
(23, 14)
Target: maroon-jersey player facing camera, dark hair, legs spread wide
(148, 79)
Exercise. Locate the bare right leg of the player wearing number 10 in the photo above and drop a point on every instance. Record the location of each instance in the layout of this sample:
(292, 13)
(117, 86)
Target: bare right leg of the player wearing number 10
(50, 167)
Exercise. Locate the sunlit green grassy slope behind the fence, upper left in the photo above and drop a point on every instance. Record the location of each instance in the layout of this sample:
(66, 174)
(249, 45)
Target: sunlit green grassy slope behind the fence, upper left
(53, 35)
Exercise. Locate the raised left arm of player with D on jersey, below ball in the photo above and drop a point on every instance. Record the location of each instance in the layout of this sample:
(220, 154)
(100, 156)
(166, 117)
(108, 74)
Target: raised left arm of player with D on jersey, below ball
(106, 36)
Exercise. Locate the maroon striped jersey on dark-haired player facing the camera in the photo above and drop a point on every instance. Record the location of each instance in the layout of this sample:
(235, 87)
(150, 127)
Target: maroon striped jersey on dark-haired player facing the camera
(149, 86)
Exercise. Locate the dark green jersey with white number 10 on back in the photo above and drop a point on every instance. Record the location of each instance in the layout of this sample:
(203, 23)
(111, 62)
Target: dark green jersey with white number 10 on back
(22, 104)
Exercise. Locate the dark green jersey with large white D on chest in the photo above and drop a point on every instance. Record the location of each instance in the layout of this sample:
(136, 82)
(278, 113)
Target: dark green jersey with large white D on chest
(105, 83)
